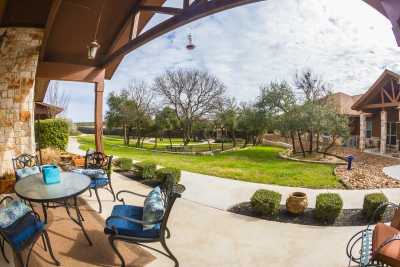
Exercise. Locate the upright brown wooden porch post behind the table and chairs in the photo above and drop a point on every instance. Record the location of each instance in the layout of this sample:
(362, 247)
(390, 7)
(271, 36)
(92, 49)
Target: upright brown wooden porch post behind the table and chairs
(98, 115)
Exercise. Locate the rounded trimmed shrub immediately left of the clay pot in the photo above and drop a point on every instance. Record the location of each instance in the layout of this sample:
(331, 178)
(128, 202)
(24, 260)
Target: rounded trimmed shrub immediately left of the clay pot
(266, 202)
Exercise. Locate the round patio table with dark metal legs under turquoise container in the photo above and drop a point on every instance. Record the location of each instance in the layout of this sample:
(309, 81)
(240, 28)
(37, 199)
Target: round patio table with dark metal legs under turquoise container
(33, 189)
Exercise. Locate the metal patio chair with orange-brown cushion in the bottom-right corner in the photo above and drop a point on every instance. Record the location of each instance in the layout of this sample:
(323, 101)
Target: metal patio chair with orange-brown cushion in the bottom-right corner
(366, 247)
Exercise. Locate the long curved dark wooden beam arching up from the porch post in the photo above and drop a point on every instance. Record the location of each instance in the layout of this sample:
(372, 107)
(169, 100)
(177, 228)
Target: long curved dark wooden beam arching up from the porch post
(192, 13)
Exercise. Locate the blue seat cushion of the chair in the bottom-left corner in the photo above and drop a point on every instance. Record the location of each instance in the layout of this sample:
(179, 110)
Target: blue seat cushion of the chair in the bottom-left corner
(22, 231)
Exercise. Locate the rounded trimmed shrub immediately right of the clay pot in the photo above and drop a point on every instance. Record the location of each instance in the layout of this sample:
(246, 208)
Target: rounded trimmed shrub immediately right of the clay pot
(328, 207)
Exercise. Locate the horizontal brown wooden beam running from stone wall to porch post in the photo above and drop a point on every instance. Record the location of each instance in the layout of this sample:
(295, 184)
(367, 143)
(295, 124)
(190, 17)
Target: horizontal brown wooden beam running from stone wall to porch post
(69, 72)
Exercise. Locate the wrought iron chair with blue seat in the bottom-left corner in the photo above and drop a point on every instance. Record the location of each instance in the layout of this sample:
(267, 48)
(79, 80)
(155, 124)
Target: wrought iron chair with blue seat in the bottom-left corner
(23, 234)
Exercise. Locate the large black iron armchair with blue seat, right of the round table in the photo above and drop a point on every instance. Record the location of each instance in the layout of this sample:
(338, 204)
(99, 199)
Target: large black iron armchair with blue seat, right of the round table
(126, 224)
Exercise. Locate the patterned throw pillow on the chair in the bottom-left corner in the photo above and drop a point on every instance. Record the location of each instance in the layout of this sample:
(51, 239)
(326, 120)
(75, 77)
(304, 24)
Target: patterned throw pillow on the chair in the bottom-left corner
(12, 212)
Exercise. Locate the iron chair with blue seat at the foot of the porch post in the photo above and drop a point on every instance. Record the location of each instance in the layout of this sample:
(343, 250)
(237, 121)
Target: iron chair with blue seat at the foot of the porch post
(100, 161)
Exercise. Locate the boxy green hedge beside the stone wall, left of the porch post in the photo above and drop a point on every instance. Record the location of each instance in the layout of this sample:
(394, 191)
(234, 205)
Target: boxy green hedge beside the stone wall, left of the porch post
(52, 133)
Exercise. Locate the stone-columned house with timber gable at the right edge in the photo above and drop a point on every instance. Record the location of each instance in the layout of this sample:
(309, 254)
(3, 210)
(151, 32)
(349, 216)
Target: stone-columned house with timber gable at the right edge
(374, 116)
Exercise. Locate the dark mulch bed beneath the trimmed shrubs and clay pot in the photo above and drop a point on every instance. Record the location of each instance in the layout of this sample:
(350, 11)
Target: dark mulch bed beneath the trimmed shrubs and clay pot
(348, 217)
